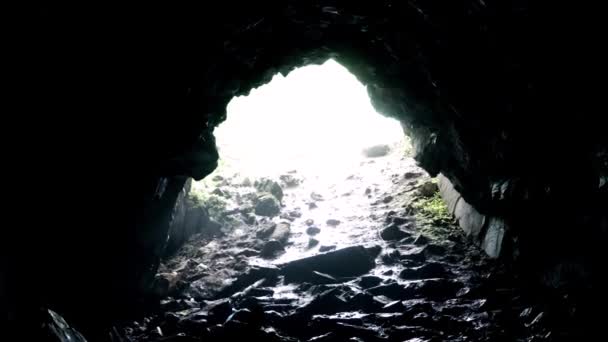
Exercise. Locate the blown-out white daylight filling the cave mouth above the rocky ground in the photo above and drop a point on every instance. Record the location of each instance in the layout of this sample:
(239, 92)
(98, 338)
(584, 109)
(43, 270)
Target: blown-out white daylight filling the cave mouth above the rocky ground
(316, 120)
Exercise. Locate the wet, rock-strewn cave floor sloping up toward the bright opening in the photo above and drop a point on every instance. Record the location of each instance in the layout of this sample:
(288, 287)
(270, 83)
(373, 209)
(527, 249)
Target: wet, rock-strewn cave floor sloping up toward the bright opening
(356, 260)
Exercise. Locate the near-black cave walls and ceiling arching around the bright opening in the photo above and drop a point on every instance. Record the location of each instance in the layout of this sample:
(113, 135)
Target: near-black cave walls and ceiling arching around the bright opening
(499, 97)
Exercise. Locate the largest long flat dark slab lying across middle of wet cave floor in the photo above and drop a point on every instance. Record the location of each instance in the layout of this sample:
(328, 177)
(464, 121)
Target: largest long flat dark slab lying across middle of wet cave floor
(347, 262)
